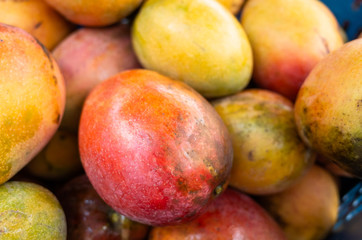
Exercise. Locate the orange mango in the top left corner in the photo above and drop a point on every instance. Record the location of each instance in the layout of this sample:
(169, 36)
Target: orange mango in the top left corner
(37, 18)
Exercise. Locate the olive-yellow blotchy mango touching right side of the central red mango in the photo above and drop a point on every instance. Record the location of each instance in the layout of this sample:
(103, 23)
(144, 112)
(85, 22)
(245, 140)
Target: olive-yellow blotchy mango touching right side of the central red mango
(269, 156)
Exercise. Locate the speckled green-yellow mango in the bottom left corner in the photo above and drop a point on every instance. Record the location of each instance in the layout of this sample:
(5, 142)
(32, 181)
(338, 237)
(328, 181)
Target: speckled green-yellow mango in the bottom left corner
(29, 211)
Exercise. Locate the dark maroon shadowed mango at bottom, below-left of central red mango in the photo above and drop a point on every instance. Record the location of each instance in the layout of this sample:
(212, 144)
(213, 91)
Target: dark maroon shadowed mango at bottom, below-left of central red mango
(90, 218)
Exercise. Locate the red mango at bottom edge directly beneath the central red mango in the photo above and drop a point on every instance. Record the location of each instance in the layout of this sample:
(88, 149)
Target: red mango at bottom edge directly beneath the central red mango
(231, 216)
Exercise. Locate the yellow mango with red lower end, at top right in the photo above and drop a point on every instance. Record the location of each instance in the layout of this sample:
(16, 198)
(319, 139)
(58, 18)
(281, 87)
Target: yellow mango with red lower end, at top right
(288, 38)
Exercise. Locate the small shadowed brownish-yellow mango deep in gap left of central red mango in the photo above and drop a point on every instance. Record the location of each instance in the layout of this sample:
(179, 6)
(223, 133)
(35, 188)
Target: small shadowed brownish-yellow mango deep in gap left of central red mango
(59, 159)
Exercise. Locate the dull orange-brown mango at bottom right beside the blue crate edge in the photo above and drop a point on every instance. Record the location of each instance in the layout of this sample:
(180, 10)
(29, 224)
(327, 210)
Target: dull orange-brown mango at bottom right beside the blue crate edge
(308, 210)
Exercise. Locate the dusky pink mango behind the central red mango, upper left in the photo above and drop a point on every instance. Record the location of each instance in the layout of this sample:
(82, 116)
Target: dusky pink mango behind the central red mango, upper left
(86, 58)
